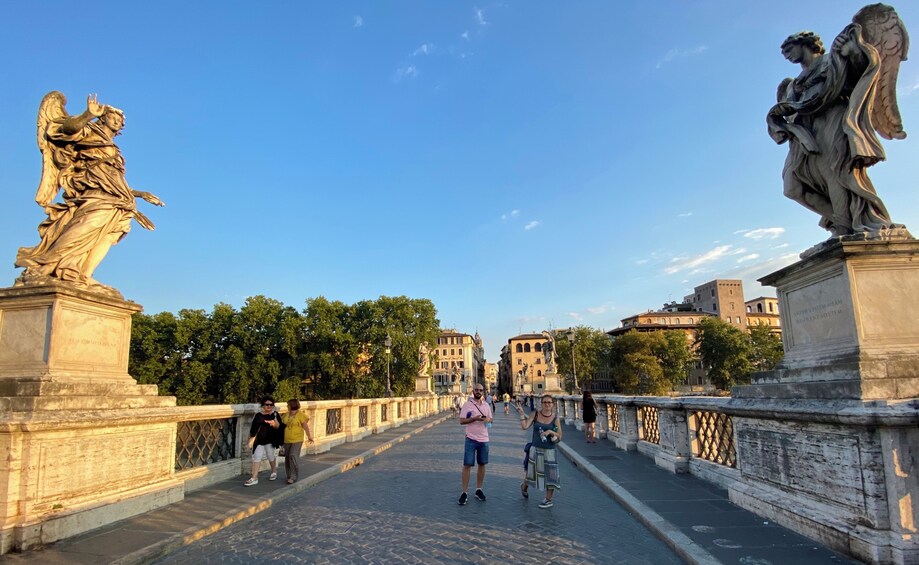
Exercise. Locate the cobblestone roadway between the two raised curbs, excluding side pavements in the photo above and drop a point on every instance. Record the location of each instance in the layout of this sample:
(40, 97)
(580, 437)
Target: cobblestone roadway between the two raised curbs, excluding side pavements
(401, 507)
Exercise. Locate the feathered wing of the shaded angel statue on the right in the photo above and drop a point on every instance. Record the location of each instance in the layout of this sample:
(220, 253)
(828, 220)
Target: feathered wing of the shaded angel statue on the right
(882, 28)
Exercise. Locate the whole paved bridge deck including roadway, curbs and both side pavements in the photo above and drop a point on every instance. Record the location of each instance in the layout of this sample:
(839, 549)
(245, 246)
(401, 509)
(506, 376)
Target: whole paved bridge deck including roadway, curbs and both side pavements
(398, 505)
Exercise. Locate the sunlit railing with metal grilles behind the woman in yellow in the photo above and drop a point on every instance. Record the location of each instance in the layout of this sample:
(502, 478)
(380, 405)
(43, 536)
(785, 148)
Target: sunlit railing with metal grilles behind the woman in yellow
(211, 440)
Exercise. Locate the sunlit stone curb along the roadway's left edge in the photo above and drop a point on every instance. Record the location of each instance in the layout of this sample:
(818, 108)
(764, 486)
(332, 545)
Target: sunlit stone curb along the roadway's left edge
(177, 541)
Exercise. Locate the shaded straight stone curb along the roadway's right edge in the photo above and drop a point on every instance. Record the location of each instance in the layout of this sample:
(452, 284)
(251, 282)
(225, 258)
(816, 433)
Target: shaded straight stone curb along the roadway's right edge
(687, 549)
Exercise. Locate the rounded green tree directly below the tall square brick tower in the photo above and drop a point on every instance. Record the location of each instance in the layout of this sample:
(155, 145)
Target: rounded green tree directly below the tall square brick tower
(725, 351)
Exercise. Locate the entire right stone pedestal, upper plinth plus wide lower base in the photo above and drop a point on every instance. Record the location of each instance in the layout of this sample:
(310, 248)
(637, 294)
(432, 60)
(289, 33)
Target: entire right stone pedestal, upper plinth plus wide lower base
(828, 443)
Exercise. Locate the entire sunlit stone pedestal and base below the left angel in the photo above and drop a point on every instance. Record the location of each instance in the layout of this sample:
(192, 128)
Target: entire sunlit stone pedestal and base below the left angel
(82, 443)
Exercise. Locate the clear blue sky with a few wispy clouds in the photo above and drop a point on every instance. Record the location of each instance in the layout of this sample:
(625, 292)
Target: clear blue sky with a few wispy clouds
(524, 165)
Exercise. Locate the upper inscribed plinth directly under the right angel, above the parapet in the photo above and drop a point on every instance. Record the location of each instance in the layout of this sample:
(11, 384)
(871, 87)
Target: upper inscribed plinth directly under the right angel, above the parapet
(850, 323)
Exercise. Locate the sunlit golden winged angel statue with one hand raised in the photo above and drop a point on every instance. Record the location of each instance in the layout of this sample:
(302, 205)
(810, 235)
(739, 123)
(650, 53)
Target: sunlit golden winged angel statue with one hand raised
(80, 159)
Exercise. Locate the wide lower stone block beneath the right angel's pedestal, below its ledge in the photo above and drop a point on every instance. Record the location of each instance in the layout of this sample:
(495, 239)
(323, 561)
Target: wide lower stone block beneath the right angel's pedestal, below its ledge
(840, 472)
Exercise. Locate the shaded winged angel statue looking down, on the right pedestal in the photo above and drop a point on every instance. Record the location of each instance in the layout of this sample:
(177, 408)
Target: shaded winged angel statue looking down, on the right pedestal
(829, 115)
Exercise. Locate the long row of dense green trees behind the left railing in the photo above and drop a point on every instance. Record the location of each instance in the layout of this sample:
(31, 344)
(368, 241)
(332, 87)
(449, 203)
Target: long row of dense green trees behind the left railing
(265, 347)
